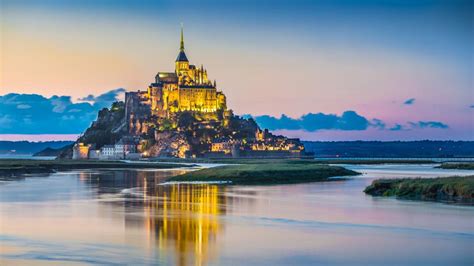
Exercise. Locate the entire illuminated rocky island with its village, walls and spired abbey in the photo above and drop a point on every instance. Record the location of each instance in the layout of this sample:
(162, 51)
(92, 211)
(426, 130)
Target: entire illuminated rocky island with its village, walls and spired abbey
(181, 114)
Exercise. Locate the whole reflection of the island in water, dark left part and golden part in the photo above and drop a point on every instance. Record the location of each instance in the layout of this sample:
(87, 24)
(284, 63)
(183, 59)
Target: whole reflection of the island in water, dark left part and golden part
(180, 219)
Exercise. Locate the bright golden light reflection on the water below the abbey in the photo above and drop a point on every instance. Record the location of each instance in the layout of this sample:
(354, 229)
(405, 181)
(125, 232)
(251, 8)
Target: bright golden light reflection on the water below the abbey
(185, 219)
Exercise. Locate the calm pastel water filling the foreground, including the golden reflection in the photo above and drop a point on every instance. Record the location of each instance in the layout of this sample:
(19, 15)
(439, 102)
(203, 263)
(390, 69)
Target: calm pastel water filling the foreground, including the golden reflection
(126, 217)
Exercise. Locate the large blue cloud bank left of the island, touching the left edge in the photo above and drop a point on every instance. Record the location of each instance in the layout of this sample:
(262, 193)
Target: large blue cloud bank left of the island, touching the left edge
(36, 114)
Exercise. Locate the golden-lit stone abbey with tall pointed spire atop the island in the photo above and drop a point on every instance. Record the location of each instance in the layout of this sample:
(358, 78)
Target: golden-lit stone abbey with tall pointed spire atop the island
(188, 88)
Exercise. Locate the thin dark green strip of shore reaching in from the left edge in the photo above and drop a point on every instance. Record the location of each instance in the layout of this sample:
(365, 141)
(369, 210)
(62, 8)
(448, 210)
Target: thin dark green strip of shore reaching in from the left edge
(10, 167)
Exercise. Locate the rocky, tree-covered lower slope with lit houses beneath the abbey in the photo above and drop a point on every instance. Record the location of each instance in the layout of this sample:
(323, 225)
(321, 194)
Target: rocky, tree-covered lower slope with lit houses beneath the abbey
(185, 134)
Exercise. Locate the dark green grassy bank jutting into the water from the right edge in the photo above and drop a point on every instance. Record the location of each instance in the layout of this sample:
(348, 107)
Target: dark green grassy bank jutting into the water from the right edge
(448, 189)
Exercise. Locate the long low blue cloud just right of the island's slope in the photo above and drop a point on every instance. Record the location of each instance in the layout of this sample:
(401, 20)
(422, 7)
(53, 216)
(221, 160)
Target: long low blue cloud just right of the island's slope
(349, 120)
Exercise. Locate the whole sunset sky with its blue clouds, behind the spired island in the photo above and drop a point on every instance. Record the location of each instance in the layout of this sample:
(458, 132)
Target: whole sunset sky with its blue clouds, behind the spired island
(318, 70)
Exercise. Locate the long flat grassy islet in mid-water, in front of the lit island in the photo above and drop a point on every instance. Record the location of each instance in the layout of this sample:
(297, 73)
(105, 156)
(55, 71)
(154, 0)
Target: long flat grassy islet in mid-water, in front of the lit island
(267, 173)
